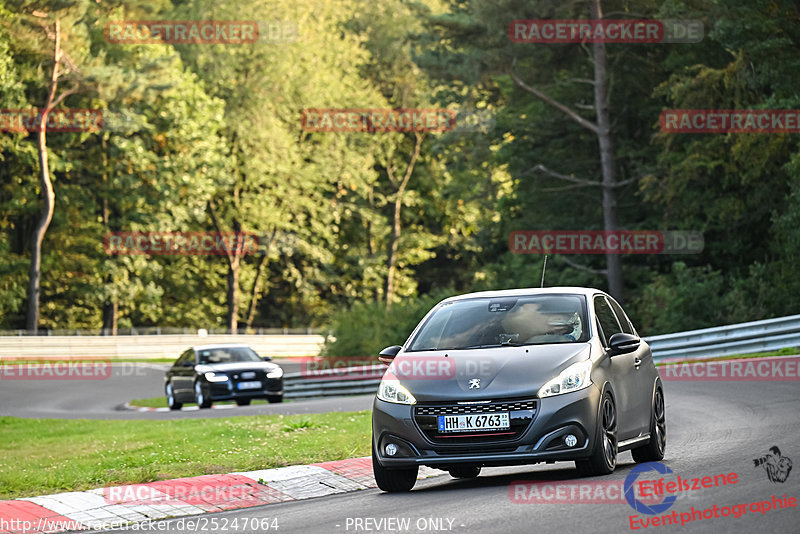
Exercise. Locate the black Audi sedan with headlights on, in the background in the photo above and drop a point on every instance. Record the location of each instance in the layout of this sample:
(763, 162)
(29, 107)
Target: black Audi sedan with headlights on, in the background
(209, 373)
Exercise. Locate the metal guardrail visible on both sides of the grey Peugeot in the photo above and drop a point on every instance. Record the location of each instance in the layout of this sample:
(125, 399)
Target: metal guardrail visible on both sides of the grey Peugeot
(754, 336)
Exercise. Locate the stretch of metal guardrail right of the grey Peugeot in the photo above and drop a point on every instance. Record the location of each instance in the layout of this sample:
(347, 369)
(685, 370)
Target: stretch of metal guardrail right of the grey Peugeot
(742, 338)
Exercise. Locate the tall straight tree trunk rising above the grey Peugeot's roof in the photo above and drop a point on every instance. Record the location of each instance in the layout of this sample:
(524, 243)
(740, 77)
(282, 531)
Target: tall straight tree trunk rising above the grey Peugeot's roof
(607, 164)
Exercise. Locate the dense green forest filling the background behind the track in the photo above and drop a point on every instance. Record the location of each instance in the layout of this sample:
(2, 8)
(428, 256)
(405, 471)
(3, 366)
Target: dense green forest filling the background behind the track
(363, 230)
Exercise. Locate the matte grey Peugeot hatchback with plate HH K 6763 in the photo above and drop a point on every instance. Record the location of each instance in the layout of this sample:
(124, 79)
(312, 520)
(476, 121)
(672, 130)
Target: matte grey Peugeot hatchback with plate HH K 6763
(517, 377)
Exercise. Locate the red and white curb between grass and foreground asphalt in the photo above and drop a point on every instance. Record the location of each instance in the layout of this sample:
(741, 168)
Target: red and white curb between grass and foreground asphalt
(116, 506)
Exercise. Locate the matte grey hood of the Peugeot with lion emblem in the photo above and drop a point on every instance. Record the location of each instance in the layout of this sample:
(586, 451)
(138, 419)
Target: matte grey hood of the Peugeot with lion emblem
(480, 374)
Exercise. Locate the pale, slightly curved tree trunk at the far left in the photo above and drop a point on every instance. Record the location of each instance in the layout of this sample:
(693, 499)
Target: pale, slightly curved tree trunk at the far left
(49, 197)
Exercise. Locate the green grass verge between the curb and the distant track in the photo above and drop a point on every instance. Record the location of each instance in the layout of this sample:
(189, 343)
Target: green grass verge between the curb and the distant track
(42, 456)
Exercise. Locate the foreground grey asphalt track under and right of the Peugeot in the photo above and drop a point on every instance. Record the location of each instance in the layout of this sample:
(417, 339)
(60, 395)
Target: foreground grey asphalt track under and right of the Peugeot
(713, 428)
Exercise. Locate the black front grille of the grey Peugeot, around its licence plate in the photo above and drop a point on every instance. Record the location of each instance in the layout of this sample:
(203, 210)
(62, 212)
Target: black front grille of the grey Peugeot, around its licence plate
(521, 414)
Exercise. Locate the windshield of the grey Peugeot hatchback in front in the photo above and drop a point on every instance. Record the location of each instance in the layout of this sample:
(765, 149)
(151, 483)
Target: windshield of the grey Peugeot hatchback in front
(490, 322)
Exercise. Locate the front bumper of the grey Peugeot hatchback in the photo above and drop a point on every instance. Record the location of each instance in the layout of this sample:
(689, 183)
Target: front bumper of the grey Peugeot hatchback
(543, 440)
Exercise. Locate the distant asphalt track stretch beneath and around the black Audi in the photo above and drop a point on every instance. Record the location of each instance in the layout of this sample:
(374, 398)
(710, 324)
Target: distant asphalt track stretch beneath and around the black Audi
(103, 399)
